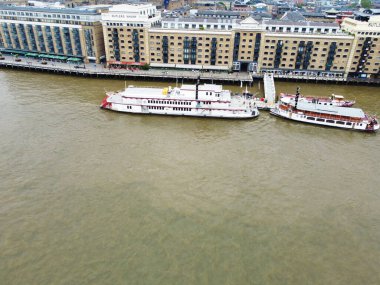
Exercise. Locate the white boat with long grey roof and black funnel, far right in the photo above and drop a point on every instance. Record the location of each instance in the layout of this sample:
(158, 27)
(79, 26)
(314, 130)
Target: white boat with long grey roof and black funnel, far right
(326, 115)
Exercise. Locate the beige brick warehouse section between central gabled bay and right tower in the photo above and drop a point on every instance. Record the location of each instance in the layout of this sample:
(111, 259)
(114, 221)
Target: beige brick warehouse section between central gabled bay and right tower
(318, 48)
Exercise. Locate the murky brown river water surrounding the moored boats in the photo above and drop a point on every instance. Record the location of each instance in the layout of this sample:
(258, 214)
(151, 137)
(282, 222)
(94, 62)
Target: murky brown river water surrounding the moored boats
(89, 196)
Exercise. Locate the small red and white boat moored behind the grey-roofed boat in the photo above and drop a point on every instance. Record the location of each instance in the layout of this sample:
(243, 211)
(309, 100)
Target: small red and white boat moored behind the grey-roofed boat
(333, 100)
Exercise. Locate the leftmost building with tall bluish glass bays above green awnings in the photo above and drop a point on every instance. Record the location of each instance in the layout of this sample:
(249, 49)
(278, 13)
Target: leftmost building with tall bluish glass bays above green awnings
(66, 34)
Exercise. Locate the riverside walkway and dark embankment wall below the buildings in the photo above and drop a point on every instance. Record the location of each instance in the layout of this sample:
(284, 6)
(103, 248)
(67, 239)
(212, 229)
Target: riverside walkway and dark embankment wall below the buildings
(99, 71)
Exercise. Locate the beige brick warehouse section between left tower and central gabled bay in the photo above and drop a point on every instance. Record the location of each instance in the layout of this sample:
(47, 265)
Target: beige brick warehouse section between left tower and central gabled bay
(193, 44)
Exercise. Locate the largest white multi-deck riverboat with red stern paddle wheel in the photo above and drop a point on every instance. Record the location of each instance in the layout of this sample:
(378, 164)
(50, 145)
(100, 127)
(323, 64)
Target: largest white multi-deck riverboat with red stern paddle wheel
(207, 100)
